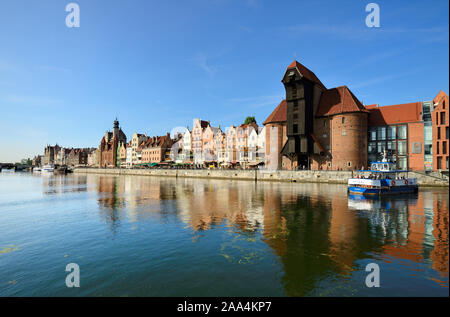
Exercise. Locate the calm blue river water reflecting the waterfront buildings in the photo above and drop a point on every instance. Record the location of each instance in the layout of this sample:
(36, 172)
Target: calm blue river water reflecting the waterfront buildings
(152, 236)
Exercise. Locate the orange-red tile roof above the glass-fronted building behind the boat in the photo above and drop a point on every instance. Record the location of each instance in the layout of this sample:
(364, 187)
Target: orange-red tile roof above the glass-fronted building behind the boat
(395, 114)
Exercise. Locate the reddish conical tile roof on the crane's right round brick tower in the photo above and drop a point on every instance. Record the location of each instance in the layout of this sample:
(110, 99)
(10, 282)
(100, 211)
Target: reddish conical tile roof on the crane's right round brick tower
(338, 100)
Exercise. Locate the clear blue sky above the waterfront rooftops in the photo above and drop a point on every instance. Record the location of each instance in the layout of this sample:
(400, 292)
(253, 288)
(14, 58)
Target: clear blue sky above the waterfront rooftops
(159, 64)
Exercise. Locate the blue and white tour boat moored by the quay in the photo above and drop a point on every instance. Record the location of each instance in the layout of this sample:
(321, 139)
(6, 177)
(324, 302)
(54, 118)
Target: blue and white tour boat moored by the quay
(382, 179)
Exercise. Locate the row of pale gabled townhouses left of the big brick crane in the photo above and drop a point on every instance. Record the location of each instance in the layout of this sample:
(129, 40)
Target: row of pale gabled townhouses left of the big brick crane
(205, 145)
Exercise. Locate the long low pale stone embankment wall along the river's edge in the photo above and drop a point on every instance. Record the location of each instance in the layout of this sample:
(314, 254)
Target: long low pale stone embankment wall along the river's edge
(333, 177)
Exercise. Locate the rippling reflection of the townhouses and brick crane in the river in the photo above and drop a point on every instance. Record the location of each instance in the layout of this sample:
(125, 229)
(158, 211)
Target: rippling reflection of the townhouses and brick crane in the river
(314, 229)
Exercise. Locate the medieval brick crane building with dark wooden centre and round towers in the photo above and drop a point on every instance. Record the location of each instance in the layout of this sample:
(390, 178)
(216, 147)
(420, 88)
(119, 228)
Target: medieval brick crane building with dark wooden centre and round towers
(316, 127)
